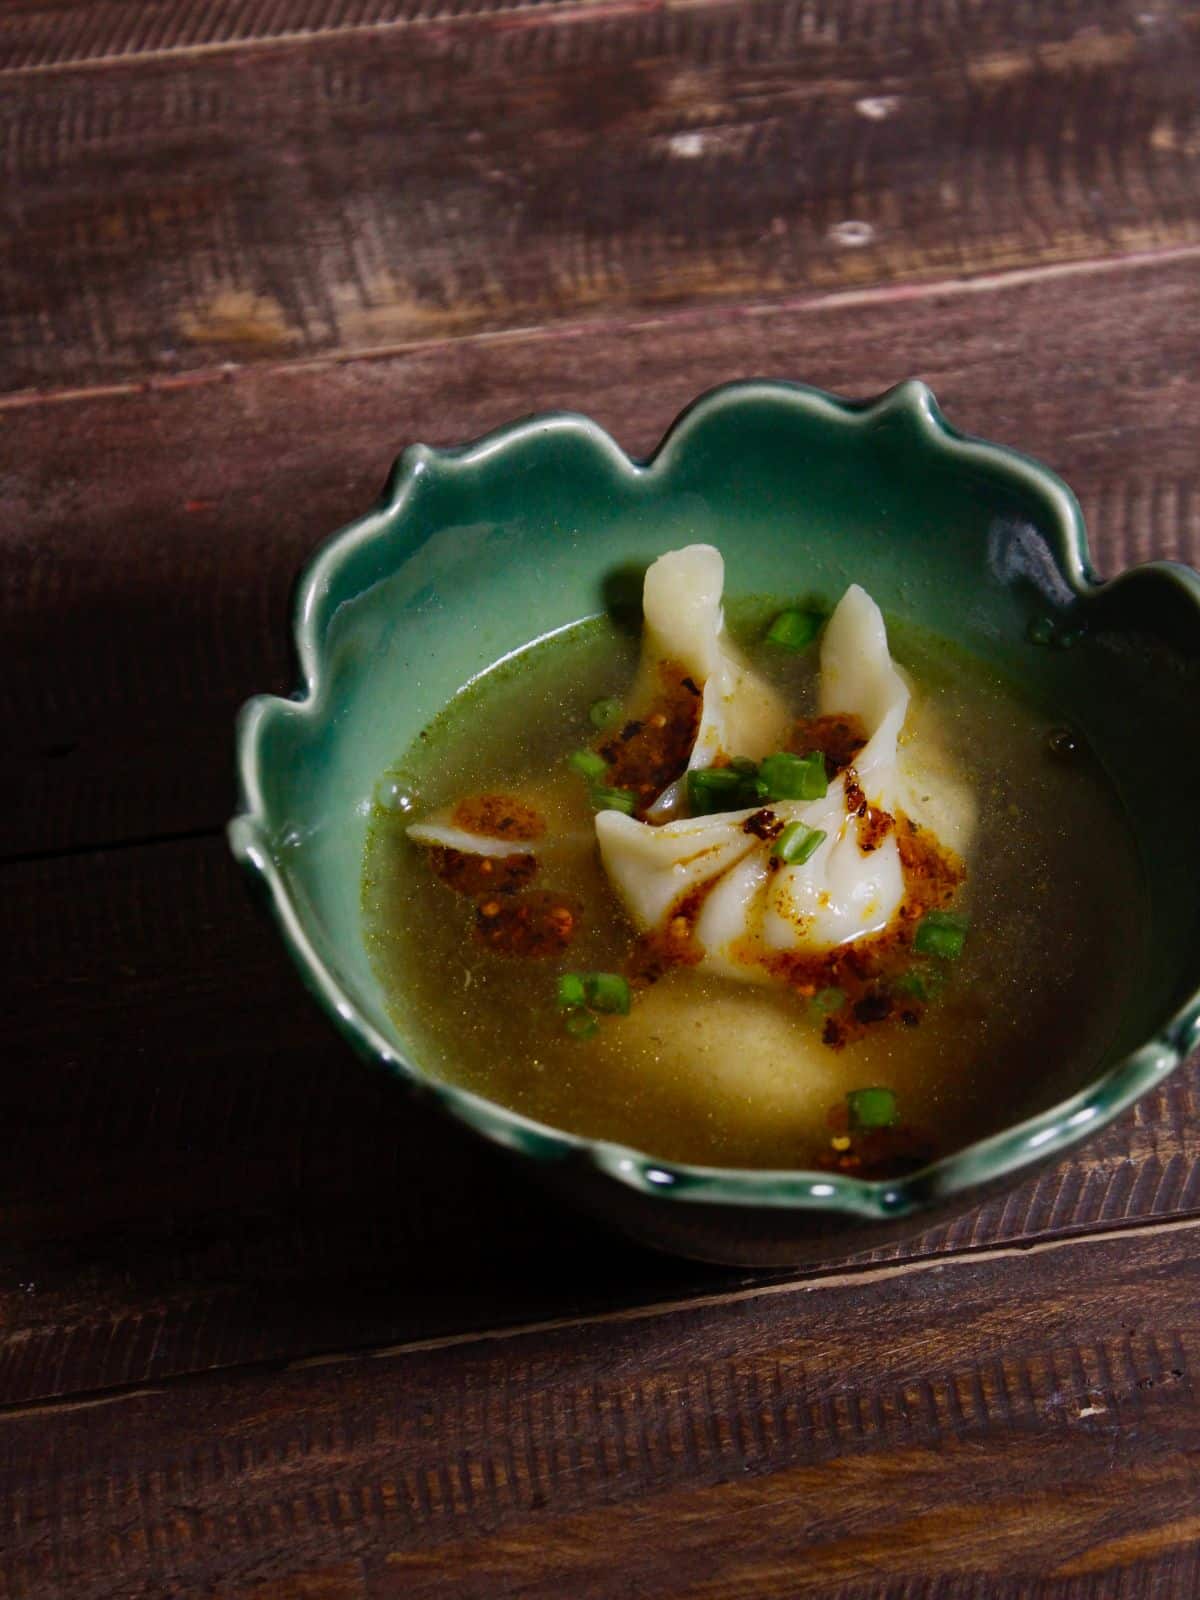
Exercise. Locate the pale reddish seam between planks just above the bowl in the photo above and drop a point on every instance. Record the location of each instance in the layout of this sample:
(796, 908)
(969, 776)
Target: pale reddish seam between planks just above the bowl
(535, 334)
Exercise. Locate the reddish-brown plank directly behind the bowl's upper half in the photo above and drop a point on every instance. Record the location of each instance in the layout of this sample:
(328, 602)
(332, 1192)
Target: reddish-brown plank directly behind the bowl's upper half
(146, 564)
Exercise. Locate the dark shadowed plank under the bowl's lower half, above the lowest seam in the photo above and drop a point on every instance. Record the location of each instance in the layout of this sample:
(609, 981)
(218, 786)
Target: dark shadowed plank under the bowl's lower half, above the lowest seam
(207, 1177)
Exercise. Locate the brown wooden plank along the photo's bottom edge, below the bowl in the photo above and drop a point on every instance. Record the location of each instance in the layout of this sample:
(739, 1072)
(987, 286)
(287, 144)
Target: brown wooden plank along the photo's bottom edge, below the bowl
(842, 1439)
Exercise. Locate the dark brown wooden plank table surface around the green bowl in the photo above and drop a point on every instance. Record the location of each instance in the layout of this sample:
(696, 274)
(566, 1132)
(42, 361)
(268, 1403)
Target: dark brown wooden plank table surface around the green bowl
(266, 1334)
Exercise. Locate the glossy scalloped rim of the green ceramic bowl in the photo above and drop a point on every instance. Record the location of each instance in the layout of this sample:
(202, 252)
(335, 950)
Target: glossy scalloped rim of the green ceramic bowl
(1009, 1151)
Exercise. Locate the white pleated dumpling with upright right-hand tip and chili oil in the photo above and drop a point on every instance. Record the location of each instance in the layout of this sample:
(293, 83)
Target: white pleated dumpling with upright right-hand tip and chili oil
(745, 908)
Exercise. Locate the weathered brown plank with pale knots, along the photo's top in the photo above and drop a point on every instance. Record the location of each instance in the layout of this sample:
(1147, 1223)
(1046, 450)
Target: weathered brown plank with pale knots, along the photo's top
(351, 191)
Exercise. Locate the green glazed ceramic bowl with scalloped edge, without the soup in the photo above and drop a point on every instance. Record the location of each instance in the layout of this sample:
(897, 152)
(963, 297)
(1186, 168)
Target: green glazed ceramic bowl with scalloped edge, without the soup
(474, 553)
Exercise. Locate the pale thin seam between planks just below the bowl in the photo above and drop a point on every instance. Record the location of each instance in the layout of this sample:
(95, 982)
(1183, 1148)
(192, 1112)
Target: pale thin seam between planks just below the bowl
(839, 1279)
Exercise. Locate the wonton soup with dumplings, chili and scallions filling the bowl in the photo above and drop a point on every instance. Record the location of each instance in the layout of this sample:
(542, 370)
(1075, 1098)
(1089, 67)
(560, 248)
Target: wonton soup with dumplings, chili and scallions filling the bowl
(766, 905)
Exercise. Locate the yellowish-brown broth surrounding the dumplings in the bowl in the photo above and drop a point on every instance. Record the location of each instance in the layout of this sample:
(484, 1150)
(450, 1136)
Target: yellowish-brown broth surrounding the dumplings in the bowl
(706, 1070)
